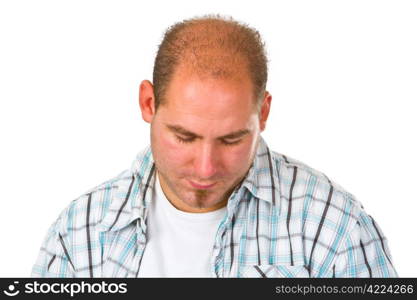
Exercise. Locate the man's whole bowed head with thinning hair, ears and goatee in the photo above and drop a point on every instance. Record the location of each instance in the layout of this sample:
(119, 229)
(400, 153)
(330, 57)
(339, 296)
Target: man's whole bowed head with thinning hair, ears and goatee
(207, 108)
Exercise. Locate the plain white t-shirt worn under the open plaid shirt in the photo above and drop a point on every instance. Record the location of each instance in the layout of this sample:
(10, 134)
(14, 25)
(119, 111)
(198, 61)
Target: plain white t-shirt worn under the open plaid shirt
(179, 244)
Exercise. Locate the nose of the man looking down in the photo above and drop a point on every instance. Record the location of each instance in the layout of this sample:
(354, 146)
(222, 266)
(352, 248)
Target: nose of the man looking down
(206, 162)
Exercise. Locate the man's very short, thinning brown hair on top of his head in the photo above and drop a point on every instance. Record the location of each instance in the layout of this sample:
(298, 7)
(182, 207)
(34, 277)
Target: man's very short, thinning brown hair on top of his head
(214, 46)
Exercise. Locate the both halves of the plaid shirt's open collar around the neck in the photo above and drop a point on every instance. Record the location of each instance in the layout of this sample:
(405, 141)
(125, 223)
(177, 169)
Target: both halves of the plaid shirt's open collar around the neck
(136, 188)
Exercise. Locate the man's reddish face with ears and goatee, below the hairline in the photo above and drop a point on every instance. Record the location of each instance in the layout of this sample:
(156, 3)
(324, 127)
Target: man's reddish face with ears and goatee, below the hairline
(203, 112)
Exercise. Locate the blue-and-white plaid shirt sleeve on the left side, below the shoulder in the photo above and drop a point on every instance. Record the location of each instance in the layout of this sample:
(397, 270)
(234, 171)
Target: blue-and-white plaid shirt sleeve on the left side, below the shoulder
(54, 257)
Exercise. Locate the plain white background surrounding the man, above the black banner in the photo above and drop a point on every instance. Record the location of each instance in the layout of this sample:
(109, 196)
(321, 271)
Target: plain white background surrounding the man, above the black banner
(343, 76)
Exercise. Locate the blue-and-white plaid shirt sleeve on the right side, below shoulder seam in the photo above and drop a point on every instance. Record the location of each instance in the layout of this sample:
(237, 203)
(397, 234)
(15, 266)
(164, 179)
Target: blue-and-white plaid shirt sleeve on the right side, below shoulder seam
(365, 252)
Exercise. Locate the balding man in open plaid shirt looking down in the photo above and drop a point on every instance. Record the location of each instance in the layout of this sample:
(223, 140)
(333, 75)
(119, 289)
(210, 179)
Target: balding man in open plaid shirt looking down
(208, 198)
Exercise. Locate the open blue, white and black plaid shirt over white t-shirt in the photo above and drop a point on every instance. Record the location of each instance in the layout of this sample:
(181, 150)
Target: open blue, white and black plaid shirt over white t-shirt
(284, 219)
